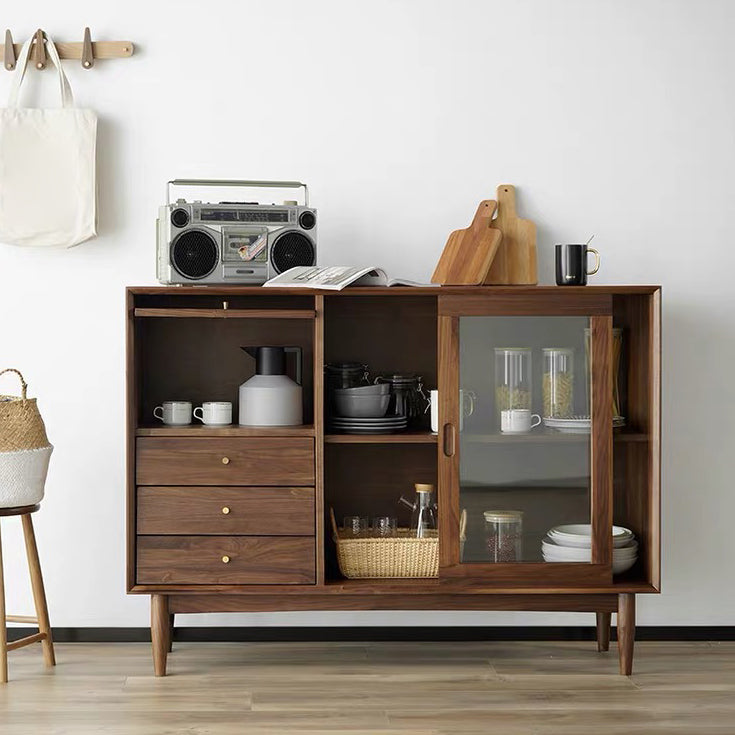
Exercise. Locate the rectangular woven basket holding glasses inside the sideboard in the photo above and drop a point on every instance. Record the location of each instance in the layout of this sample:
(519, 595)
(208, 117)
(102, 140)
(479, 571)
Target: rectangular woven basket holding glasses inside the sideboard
(400, 556)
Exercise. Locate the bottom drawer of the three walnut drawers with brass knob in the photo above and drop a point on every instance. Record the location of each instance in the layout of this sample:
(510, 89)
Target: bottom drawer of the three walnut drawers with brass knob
(226, 560)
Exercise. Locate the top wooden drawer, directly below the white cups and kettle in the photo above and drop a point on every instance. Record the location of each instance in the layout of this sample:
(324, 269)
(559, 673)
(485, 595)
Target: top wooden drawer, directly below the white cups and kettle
(225, 461)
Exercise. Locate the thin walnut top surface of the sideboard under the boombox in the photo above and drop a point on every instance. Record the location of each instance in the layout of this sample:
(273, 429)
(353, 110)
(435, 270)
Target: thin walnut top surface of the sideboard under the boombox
(389, 291)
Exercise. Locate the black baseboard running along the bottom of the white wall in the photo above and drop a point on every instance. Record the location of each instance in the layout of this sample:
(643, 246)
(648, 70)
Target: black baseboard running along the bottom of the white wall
(364, 633)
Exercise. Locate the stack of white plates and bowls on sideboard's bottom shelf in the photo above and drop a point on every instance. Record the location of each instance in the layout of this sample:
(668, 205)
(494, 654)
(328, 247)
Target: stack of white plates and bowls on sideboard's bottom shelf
(574, 543)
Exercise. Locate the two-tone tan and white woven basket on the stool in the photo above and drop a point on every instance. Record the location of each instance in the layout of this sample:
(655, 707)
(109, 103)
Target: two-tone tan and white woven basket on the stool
(24, 449)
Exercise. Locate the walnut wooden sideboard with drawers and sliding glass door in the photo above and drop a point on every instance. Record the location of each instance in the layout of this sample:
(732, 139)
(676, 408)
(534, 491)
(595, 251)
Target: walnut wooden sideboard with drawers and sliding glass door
(233, 519)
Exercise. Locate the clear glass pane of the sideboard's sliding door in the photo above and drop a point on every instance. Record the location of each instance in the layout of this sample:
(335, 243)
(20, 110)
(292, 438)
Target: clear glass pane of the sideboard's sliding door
(524, 435)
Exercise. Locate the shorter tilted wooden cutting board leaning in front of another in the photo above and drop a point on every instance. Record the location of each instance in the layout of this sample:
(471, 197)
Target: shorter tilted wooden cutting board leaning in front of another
(468, 254)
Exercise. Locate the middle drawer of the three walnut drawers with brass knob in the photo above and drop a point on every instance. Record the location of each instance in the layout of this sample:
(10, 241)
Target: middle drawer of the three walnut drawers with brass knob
(229, 511)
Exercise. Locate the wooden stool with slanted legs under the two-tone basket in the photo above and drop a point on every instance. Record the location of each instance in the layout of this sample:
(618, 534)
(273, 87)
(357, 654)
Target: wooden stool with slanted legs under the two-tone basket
(39, 598)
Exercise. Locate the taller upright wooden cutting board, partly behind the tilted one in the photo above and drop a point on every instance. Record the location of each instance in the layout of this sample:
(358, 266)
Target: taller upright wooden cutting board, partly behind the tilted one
(515, 261)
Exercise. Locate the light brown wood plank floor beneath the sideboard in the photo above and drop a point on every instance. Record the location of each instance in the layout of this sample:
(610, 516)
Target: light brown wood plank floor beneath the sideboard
(406, 688)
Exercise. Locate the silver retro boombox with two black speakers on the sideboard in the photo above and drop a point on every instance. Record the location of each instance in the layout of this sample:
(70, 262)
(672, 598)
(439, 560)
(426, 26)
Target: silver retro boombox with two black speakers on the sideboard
(233, 242)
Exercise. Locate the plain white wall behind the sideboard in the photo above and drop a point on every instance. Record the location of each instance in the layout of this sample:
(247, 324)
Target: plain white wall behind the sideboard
(614, 118)
